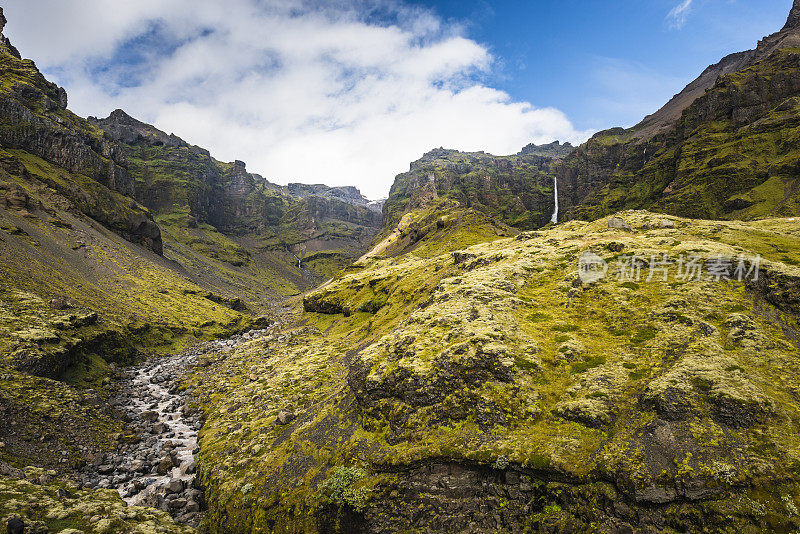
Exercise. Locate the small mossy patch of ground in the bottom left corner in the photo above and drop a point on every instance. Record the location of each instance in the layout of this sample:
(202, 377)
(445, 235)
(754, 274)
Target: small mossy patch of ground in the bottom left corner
(65, 509)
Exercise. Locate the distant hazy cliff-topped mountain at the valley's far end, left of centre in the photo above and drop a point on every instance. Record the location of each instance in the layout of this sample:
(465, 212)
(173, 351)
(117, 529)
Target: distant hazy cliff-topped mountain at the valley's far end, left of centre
(222, 211)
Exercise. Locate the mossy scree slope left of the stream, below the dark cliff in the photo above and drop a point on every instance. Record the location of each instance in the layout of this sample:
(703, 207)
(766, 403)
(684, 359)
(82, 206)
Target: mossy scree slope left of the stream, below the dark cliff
(78, 300)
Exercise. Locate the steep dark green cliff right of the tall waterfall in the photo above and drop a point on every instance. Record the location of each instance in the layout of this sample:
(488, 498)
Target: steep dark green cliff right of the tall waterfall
(725, 147)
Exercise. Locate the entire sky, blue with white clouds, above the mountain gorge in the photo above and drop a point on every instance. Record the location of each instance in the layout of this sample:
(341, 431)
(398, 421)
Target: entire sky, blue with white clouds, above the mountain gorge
(349, 92)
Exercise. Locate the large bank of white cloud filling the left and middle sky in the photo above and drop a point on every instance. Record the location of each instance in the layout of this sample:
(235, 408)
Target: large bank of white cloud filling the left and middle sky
(337, 92)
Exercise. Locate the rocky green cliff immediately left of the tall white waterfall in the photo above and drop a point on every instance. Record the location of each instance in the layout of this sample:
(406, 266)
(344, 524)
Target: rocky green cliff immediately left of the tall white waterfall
(515, 190)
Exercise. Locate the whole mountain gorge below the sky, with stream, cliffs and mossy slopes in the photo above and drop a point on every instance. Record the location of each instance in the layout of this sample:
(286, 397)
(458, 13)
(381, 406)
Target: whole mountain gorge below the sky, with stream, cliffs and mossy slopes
(186, 346)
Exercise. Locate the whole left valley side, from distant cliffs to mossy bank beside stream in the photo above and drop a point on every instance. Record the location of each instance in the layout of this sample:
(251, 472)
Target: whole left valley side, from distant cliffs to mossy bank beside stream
(120, 242)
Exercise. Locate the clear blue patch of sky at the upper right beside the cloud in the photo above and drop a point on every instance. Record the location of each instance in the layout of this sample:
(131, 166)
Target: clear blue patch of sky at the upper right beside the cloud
(607, 63)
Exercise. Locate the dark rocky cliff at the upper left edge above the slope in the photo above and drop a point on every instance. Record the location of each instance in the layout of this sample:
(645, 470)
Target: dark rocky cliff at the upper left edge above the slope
(34, 121)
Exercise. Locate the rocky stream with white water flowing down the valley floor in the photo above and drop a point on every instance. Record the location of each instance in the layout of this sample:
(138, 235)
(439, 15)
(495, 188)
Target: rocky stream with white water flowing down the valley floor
(157, 466)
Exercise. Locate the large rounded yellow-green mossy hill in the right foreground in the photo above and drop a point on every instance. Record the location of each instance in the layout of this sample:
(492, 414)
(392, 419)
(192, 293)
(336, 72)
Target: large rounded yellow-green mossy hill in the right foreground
(666, 396)
